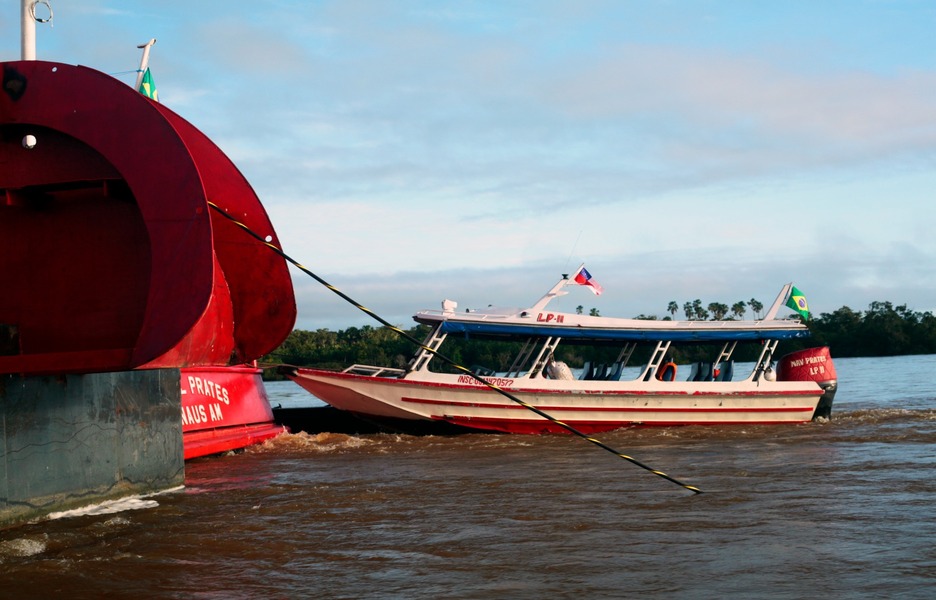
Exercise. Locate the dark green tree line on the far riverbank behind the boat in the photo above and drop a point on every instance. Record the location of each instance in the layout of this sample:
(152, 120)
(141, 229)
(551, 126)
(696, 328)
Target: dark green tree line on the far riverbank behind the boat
(882, 330)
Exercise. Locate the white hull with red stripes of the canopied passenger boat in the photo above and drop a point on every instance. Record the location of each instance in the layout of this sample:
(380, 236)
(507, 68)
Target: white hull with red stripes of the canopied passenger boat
(588, 406)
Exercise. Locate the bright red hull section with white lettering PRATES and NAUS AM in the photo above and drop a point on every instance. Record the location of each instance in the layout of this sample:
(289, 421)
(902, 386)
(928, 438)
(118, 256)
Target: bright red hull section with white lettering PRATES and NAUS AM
(224, 408)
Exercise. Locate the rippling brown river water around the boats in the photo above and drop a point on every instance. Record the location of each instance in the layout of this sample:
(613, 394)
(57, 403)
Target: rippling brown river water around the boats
(842, 509)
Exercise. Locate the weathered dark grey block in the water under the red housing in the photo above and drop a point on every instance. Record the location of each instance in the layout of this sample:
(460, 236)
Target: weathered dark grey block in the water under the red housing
(73, 440)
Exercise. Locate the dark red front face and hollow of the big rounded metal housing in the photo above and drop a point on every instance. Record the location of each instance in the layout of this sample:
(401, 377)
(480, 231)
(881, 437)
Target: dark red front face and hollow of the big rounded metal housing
(138, 263)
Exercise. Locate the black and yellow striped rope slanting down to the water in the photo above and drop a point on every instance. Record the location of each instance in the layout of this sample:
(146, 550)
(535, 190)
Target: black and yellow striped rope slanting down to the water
(268, 243)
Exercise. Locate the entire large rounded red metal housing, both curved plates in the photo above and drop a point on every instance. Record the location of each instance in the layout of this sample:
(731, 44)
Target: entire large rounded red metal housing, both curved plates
(113, 259)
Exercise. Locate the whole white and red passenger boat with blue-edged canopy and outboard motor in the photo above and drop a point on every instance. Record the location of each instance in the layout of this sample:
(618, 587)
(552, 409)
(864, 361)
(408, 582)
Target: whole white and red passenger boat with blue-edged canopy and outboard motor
(602, 397)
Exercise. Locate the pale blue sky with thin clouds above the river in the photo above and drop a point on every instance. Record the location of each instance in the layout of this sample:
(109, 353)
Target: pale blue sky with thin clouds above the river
(409, 152)
